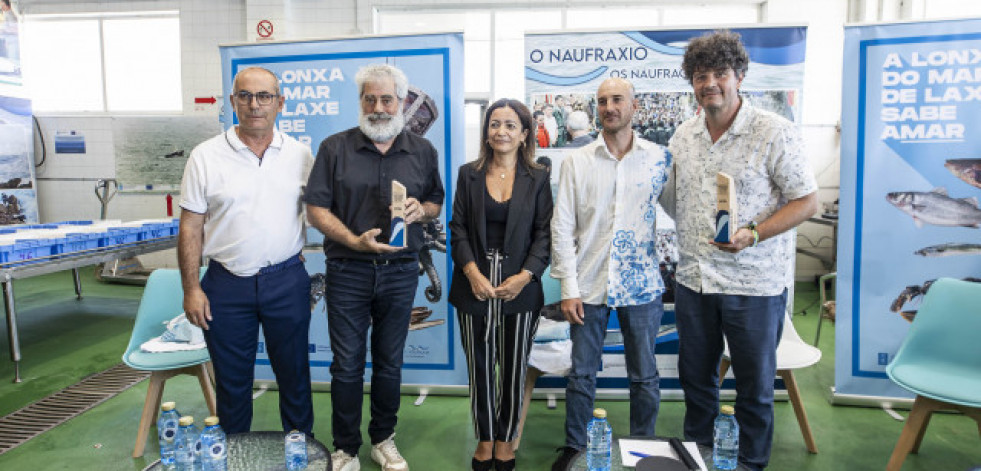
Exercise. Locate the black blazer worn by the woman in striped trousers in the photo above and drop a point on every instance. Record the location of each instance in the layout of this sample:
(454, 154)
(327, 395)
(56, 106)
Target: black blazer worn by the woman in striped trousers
(527, 242)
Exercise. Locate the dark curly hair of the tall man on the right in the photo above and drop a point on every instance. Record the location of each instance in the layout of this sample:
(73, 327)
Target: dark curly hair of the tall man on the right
(717, 50)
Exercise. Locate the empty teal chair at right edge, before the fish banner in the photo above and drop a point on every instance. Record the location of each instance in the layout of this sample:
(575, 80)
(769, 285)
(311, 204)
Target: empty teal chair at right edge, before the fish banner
(940, 361)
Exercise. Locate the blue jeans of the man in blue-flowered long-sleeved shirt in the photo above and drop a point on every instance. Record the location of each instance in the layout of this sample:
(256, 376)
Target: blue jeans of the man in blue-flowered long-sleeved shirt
(639, 325)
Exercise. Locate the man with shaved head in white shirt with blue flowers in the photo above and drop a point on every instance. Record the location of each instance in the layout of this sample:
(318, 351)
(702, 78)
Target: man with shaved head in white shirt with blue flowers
(604, 254)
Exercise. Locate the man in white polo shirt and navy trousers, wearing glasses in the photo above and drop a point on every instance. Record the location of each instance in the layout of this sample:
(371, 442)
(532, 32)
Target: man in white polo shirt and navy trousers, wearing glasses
(241, 208)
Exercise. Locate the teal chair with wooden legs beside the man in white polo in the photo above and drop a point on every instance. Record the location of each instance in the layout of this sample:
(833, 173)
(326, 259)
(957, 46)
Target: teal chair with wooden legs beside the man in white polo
(163, 299)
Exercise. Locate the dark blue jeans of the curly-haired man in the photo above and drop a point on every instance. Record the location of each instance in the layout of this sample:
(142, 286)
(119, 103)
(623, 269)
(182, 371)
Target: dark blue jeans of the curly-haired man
(752, 325)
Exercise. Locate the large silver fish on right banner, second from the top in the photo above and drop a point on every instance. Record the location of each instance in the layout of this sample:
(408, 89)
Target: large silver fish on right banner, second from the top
(935, 207)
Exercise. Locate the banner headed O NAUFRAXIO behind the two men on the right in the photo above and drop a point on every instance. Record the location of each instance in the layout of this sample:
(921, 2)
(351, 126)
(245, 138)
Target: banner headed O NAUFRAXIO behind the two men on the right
(562, 74)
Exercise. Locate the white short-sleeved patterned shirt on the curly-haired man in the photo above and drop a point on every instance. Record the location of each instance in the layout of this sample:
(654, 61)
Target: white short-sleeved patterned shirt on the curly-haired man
(764, 153)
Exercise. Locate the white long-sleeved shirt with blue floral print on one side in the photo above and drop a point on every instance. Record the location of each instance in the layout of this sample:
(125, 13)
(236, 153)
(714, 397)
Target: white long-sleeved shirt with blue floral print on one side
(603, 227)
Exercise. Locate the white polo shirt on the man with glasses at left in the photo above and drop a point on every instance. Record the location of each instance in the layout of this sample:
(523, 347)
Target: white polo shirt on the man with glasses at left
(253, 209)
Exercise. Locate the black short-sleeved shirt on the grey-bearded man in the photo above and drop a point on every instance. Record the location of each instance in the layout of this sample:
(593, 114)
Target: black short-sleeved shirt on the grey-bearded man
(353, 180)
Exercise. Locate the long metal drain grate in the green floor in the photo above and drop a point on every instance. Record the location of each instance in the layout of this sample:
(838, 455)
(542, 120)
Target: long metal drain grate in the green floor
(46, 414)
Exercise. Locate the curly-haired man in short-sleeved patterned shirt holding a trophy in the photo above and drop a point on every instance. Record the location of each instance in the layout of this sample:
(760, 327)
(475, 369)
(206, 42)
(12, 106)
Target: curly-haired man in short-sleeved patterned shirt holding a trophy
(739, 289)
